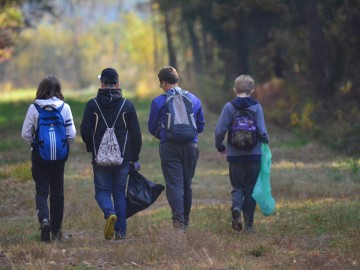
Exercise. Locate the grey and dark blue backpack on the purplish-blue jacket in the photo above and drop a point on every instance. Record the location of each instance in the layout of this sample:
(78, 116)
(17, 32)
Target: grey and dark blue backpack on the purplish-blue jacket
(180, 125)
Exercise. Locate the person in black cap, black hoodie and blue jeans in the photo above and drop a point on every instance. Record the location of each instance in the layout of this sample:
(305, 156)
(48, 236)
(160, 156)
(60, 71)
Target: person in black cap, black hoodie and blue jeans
(109, 108)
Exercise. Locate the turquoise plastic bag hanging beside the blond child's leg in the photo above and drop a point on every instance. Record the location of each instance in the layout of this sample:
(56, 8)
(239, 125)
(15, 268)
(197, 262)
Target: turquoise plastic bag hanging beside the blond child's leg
(262, 190)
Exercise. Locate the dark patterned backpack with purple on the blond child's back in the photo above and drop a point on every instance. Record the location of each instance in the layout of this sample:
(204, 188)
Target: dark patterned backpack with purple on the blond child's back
(242, 132)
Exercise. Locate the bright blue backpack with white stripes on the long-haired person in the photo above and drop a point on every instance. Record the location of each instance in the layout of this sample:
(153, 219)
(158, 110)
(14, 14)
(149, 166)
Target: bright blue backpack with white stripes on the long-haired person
(50, 135)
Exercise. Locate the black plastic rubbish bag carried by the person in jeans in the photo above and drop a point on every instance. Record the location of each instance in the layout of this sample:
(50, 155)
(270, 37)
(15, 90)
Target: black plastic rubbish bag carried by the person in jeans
(141, 193)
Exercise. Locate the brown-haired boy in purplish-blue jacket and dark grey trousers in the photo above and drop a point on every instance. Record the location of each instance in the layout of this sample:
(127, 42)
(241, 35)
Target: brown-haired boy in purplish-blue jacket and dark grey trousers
(178, 160)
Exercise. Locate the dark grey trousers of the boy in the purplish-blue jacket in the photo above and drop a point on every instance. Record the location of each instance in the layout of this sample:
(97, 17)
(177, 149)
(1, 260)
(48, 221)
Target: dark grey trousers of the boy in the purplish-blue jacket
(178, 163)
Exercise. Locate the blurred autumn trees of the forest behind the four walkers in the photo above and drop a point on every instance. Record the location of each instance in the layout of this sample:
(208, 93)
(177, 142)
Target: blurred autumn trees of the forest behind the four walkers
(304, 55)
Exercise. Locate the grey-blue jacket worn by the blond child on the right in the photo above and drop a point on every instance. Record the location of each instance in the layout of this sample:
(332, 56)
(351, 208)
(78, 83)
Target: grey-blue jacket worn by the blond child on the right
(222, 126)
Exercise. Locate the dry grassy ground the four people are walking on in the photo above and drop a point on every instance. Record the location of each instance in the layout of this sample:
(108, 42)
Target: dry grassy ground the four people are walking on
(316, 224)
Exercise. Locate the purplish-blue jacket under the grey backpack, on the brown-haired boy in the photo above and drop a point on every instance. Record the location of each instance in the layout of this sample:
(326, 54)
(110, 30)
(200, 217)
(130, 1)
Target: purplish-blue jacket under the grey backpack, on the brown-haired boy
(158, 114)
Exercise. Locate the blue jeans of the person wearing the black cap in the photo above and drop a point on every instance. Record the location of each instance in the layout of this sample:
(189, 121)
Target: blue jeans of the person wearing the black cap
(110, 186)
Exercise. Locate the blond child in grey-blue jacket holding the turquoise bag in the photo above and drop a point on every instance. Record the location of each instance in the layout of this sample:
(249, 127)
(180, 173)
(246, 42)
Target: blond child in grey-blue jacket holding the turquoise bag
(244, 165)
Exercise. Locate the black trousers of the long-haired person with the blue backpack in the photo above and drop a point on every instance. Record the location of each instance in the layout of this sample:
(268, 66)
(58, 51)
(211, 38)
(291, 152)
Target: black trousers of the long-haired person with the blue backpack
(49, 180)
